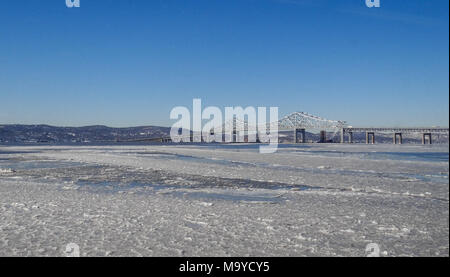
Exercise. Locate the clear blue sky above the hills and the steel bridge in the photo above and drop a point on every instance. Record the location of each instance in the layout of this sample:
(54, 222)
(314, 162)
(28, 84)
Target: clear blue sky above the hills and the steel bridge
(128, 62)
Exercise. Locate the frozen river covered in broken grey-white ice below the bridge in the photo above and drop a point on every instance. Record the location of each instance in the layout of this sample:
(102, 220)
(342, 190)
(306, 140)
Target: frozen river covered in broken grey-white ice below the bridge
(224, 200)
